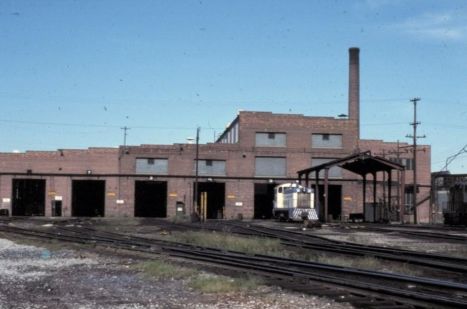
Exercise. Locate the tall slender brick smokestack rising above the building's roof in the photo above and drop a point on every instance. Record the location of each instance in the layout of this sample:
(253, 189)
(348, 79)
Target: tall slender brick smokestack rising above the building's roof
(354, 87)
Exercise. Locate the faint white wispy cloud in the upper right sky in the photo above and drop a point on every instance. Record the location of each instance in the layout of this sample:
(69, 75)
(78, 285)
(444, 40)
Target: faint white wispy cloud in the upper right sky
(438, 26)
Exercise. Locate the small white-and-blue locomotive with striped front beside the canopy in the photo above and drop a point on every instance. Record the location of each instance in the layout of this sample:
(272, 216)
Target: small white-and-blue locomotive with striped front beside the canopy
(294, 202)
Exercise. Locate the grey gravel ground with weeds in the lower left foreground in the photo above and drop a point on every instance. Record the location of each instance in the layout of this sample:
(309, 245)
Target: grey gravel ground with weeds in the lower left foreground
(36, 277)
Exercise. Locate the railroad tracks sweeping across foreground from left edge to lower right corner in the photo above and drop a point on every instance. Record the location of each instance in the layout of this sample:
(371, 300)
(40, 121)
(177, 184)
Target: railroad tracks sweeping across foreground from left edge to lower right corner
(362, 288)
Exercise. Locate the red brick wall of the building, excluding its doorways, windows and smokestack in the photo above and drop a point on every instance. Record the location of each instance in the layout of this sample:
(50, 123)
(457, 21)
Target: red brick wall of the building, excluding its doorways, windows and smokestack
(240, 162)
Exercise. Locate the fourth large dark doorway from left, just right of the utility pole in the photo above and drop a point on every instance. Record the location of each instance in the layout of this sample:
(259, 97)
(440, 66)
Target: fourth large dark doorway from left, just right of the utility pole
(215, 198)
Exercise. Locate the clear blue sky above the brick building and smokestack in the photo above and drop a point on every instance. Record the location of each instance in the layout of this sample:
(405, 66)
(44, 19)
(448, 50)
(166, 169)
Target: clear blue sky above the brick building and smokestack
(75, 72)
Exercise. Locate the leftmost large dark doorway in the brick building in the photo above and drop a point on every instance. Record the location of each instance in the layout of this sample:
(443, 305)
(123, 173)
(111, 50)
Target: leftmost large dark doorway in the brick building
(28, 197)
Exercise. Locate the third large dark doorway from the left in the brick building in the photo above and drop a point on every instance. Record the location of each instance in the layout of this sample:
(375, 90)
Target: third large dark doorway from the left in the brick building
(151, 199)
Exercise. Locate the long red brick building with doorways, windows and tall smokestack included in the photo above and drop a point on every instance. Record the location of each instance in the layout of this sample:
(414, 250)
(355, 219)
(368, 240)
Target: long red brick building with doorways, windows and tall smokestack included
(257, 151)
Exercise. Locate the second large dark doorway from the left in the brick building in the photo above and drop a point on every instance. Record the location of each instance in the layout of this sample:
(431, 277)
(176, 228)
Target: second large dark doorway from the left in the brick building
(88, 198)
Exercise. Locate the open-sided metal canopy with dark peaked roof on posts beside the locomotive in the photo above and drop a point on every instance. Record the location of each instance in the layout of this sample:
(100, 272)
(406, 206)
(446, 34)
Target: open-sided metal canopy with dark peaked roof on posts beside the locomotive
(362, 163)
